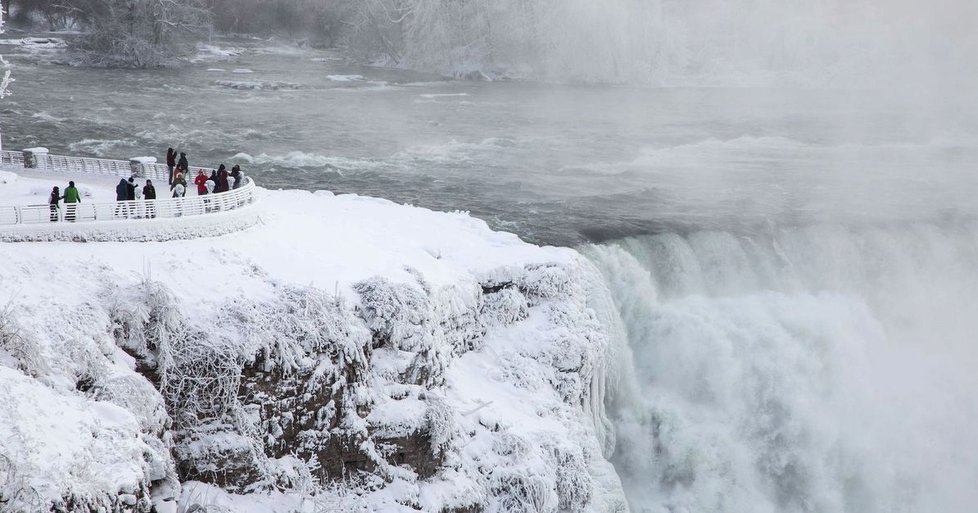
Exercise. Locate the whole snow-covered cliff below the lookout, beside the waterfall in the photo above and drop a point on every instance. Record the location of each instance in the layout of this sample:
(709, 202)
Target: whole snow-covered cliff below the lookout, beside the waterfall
(345, 353)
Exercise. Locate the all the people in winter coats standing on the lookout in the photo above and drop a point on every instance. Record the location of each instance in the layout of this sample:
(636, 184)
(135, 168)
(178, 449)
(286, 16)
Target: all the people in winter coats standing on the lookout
(220, 180)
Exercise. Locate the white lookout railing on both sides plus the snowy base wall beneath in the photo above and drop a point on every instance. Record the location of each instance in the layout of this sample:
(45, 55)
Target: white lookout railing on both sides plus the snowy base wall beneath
(161, 219)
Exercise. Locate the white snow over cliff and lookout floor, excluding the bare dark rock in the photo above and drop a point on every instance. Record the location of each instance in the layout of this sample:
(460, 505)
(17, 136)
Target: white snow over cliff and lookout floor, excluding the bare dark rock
(518, 411)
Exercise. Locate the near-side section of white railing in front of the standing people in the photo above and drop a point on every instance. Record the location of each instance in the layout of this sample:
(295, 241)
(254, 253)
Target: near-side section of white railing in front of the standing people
(136, 209)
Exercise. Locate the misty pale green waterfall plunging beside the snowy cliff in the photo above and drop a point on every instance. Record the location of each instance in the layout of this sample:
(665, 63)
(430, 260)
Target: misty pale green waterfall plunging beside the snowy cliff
(814, 369)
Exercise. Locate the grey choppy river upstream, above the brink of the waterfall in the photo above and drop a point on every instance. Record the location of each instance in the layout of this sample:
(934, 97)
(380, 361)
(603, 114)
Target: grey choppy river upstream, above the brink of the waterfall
(554, 163)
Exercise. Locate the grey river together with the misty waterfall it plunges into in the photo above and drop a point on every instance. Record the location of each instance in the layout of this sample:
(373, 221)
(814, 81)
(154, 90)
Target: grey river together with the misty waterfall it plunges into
(794, 269)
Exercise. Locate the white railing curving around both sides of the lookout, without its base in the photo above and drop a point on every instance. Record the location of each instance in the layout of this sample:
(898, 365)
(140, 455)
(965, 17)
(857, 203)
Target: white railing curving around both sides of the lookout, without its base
(117, 210)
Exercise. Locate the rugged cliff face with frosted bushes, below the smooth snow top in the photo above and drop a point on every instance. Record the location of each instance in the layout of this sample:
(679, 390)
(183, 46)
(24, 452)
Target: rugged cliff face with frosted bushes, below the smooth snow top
(477, 396)
